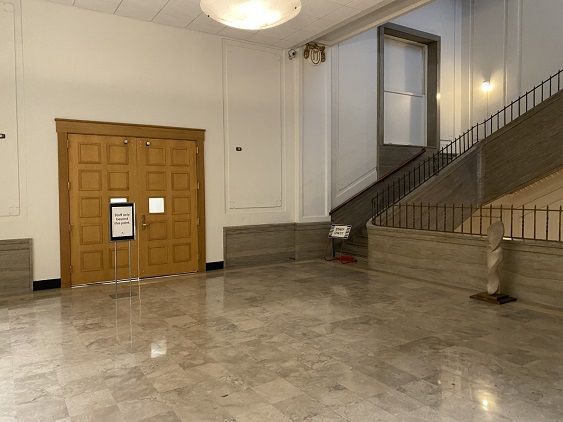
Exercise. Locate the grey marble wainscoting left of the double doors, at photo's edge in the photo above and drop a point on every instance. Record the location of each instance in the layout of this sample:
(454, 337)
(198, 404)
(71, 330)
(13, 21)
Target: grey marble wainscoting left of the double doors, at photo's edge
(16, 268)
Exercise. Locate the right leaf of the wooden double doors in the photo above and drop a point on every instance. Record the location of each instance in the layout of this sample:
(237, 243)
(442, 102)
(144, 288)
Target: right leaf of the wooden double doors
(167, 207)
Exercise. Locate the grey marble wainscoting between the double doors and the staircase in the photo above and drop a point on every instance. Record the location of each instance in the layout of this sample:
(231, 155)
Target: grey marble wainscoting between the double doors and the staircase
(263, 244)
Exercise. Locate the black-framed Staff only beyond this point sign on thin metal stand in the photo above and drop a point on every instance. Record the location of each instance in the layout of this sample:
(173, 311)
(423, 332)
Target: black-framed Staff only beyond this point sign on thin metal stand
(121, 229)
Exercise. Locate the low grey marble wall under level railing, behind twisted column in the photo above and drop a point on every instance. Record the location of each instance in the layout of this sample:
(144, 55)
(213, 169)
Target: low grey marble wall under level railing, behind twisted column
(530, 270)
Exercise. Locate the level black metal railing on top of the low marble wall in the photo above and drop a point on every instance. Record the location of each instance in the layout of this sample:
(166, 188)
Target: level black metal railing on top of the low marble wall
(520, 222)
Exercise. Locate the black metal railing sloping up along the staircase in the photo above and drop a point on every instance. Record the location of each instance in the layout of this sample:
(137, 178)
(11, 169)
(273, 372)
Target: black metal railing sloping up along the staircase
(431, 166)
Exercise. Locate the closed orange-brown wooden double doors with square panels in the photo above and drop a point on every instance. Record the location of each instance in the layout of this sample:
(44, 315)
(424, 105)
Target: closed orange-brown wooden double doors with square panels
(160, 177)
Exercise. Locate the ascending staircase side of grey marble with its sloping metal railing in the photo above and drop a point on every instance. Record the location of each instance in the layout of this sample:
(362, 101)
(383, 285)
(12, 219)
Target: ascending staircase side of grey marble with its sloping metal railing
(514, 147)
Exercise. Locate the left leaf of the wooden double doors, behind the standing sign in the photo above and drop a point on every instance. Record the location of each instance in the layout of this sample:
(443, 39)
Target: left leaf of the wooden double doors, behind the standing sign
(100, 168)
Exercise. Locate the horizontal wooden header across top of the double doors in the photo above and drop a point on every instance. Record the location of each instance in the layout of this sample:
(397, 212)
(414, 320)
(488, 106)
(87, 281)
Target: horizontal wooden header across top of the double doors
(85, 127)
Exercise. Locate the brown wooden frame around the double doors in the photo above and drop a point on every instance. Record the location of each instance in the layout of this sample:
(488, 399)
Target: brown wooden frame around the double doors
(85, 127)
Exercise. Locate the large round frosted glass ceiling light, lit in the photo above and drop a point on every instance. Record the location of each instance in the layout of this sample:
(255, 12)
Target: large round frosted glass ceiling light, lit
(251, 14)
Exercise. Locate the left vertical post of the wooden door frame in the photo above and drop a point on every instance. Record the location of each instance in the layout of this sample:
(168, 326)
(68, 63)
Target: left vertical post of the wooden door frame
(64, 209)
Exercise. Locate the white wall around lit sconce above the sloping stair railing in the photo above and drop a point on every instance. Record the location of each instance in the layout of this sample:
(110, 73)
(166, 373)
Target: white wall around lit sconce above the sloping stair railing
(512, 43)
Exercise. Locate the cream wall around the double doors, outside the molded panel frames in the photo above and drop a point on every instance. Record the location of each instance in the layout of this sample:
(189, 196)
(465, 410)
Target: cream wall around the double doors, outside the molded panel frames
(80, 64)
